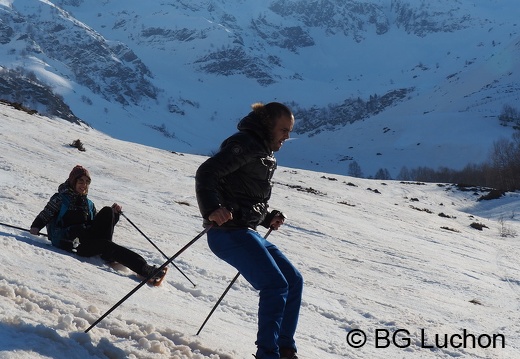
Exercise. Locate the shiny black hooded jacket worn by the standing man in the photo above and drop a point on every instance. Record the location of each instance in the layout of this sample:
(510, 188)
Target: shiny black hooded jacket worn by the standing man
(238, 177)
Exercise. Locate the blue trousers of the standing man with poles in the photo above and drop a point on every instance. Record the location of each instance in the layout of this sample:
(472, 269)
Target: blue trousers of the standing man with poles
(280, 284)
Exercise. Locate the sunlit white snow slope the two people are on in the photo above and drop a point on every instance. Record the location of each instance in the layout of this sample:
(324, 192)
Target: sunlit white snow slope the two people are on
(376, 256)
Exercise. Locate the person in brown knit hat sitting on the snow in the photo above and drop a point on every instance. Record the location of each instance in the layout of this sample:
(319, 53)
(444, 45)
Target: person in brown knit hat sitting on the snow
(73, 224)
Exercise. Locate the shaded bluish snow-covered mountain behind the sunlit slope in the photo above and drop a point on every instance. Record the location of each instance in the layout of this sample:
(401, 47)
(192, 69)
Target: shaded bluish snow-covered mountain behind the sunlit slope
(387, 83)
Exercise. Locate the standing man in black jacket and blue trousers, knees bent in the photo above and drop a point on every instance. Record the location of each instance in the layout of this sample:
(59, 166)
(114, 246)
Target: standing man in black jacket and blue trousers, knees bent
(233, 188)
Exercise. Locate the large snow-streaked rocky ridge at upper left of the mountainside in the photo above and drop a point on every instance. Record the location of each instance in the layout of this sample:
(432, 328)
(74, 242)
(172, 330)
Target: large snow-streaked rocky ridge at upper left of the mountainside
(47, 32)
